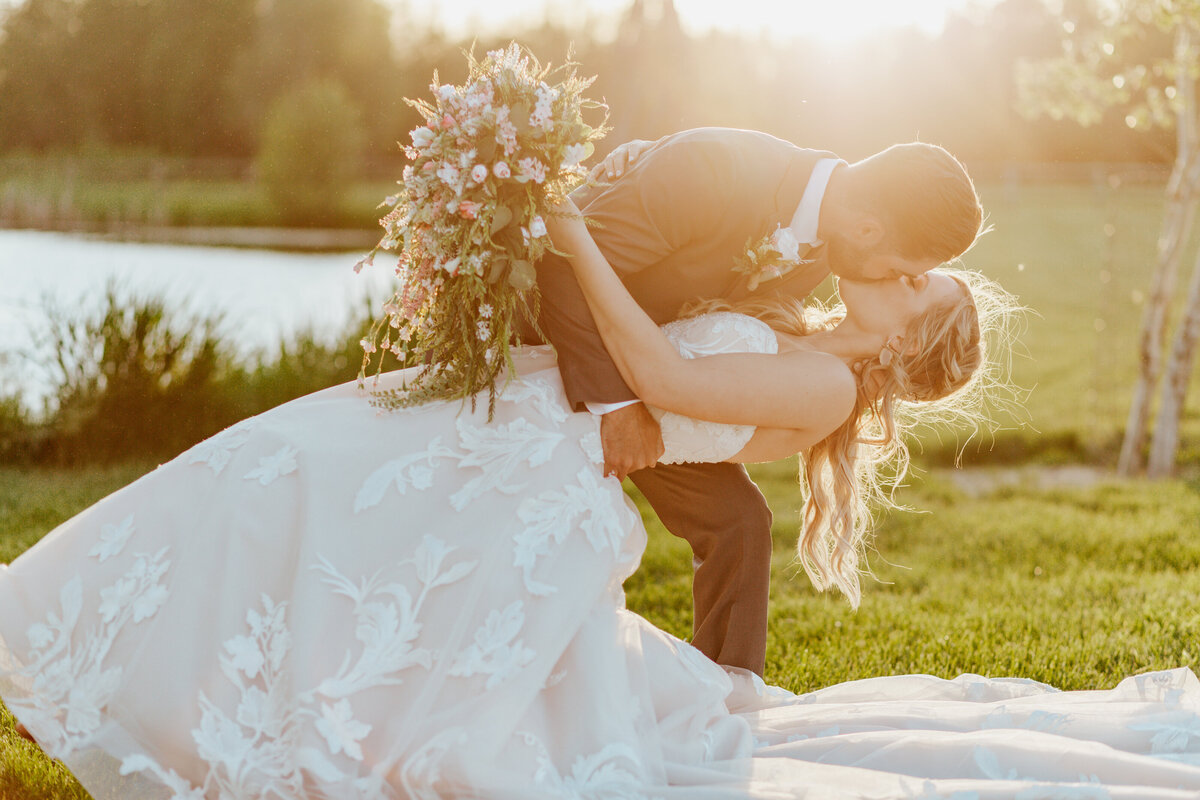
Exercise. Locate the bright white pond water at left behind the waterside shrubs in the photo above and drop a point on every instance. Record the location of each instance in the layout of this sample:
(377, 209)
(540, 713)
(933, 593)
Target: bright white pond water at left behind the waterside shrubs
(262, 296)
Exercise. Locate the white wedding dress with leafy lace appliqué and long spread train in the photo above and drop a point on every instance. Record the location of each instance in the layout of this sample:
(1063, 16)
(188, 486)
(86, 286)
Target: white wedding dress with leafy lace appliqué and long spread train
(325, 601)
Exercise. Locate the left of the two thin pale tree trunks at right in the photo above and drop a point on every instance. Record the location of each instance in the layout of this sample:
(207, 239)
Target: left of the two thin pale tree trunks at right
(1178, 219)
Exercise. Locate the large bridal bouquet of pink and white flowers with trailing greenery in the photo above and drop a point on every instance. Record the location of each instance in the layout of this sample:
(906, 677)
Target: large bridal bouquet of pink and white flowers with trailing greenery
(493, 159)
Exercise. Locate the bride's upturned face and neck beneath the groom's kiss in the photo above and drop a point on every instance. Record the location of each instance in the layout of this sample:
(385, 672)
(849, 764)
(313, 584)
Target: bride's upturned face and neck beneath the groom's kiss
(886, 308)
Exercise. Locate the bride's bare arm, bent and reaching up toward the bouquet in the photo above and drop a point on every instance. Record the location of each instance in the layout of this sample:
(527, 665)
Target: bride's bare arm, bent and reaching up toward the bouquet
(803, 392)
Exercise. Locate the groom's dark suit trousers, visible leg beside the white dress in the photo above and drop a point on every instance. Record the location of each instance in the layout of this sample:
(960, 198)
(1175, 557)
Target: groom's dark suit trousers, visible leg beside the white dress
(723, 515)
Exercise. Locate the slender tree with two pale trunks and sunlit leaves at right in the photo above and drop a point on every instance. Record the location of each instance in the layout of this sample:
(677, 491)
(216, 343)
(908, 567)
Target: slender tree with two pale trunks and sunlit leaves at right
(1155, 89)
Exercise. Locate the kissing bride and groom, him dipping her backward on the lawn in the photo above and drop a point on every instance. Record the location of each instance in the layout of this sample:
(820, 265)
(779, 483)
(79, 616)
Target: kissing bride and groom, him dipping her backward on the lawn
(328, 603)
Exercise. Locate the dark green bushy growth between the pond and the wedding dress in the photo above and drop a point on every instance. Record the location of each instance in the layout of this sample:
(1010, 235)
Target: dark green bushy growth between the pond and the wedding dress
(136, 380)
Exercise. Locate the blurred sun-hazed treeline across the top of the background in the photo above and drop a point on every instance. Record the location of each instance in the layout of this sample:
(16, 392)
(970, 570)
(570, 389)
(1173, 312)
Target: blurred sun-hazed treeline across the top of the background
(203, 79)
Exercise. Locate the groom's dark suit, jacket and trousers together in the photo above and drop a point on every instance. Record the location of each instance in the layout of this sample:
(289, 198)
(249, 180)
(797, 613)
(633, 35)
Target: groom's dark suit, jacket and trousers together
(673, 227)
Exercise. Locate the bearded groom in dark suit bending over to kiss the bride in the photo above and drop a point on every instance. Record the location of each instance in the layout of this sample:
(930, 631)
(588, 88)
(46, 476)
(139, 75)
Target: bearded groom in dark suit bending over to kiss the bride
(673, 226)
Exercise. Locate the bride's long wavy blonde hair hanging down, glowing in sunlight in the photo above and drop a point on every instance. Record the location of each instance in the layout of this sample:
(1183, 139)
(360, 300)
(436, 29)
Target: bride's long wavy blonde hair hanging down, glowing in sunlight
(952, 359)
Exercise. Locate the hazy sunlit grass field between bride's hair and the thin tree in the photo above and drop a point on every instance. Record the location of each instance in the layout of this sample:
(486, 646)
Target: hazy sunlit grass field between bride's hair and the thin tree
(1087, 286)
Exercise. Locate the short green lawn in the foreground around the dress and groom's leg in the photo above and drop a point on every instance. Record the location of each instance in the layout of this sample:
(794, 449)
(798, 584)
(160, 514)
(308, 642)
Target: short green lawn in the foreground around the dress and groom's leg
(1078, 588)
